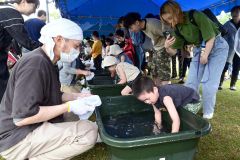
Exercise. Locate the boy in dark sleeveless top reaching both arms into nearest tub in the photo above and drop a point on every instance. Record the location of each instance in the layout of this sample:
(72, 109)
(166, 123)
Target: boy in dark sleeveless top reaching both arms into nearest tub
(169, 96)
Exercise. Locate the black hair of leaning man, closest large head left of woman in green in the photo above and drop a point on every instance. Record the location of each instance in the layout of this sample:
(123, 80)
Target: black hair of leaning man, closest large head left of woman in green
(131, 18)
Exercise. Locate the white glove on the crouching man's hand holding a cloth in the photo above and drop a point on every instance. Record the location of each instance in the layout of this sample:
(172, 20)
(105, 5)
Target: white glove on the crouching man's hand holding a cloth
(79, 107)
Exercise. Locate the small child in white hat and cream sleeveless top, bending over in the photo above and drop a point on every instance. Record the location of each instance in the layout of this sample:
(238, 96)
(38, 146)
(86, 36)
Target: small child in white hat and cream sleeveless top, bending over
(126, 72)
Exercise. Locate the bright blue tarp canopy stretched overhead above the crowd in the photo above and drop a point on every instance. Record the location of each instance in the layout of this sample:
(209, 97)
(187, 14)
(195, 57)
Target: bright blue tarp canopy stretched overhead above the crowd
(88, 13)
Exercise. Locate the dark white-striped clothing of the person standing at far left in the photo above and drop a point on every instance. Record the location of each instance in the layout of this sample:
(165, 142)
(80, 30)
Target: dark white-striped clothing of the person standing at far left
(11, 27)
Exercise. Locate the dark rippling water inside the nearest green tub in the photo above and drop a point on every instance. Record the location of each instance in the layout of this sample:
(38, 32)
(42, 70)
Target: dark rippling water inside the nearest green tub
(133, 125)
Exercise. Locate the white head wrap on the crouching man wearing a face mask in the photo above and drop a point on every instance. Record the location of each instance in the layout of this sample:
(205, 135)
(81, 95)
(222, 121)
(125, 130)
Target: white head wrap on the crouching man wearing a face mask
(61, 27)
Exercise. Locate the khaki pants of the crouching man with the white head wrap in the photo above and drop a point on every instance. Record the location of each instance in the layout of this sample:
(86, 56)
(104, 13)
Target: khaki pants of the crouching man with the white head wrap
(58, 141)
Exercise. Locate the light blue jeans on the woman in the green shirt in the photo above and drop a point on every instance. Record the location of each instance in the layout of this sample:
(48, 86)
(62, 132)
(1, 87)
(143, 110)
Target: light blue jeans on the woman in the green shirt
(208, 74)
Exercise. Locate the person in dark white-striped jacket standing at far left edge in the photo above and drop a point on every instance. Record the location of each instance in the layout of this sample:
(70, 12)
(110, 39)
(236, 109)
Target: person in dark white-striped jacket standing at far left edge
(12, 27)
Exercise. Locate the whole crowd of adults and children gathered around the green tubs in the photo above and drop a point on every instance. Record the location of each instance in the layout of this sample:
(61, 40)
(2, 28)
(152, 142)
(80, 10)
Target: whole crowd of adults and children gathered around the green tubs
(141, 54)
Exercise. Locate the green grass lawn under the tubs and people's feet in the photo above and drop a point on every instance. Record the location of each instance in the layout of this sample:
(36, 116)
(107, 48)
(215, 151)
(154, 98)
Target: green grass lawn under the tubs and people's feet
(223, 143)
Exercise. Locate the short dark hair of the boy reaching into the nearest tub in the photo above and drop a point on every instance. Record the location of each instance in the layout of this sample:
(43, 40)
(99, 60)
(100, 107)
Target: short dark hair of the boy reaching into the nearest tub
(142, 84)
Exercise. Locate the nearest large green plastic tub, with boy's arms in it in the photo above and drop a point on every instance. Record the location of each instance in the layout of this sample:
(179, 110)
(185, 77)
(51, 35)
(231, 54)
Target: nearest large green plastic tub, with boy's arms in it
(165, 146)
